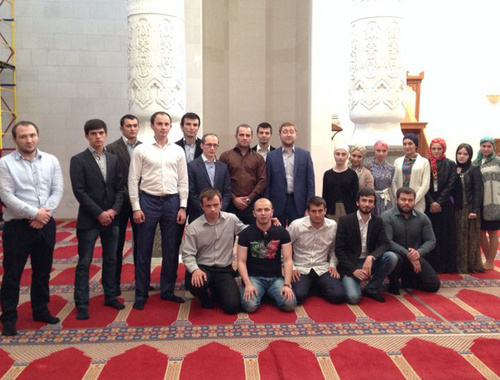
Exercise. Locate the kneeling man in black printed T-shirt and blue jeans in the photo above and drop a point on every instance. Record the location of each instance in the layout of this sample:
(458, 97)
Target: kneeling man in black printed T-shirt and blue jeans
(260, 248)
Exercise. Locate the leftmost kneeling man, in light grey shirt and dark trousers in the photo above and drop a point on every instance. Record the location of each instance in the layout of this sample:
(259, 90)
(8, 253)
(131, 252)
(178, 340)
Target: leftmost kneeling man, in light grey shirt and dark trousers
(208, 254)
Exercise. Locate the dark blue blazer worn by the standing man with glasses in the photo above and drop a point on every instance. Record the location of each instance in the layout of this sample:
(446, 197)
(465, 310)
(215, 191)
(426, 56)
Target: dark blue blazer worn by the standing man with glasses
(199, 180)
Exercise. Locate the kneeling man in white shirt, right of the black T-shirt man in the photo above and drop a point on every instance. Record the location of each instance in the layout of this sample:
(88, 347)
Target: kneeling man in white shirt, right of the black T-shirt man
(314, 260)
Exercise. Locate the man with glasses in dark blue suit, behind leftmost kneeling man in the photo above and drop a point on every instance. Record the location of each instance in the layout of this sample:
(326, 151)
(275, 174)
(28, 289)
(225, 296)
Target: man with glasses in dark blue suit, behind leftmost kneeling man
(206, 171)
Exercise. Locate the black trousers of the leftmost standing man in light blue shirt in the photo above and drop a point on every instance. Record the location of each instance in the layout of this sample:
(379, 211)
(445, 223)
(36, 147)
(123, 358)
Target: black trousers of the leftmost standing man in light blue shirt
(19, 242)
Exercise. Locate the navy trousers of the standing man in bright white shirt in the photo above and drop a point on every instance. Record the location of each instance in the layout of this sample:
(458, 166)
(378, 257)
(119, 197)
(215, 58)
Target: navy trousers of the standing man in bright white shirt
(164, 211)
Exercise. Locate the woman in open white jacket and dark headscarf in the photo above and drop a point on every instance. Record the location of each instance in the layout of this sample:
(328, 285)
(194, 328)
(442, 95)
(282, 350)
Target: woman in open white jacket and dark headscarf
(412, 170)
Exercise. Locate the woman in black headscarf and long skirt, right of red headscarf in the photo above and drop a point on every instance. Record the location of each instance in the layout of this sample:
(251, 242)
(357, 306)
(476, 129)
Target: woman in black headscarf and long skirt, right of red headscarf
(468, 197)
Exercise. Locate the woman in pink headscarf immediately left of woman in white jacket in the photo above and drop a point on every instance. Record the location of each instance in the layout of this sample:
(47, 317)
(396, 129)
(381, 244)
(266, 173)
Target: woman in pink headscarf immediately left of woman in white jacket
(382, 173)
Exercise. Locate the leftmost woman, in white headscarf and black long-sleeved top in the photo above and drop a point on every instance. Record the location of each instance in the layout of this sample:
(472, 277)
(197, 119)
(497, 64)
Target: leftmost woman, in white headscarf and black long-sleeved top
(340, 185)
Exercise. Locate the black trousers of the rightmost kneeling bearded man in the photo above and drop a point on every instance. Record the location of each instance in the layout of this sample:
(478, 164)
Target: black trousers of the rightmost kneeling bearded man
(426, 281)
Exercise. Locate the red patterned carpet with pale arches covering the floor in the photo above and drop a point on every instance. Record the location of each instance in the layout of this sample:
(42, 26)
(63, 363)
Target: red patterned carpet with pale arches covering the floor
(454, 334)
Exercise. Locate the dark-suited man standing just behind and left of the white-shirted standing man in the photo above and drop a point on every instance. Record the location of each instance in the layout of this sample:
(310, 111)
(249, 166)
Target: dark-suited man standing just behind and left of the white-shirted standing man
(122, 149)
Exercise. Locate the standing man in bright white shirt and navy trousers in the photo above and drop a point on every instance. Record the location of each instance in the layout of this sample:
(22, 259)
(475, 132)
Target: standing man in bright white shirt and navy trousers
(158, 188)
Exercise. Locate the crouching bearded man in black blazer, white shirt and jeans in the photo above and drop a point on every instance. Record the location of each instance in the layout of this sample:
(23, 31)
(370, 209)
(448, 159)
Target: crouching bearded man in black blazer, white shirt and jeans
(362, 249)
